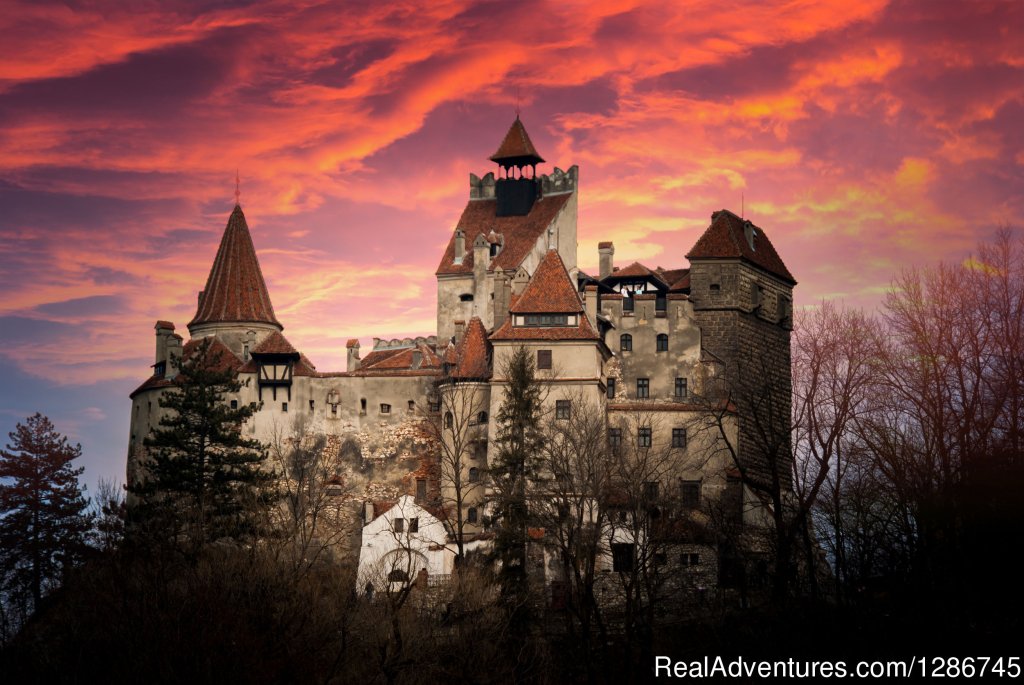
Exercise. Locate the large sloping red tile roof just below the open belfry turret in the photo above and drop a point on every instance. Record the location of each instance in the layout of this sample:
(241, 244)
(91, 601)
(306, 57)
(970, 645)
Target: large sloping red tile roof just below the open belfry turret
(521, 233)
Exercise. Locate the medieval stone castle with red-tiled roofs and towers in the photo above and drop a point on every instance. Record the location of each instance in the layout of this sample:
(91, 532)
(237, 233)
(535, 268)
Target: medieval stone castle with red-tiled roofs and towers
(642, 347)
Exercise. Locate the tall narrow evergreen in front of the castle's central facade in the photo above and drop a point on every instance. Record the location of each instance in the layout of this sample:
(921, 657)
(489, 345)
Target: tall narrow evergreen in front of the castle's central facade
(519, 446)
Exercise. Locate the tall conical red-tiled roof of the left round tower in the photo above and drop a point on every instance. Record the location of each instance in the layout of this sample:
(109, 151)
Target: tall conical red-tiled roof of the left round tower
(236, 290)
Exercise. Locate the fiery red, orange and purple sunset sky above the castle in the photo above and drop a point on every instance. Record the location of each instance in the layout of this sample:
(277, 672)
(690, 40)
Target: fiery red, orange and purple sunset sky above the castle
(864, 138)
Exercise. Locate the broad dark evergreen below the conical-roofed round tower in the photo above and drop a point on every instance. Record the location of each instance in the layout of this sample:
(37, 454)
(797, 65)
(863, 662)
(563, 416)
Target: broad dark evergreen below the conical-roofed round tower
(203, 480)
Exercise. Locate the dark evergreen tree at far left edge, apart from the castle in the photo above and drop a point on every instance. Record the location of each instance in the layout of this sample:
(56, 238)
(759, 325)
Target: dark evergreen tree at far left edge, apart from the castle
(44, 520)
